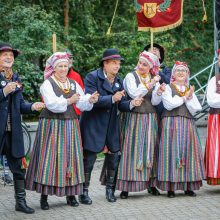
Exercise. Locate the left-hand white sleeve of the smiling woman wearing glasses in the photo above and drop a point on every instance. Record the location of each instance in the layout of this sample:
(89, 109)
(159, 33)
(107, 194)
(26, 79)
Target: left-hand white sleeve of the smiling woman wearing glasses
(170, 102)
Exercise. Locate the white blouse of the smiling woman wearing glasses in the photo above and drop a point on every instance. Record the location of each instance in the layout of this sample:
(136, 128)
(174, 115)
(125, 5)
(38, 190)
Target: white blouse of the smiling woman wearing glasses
(170, 102)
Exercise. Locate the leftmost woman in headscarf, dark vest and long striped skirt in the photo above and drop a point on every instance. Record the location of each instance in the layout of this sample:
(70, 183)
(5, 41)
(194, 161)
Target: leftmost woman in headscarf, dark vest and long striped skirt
(56, 164)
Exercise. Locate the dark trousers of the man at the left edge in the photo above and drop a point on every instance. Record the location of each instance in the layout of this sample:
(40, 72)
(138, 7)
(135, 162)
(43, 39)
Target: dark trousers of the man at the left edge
(14, 164)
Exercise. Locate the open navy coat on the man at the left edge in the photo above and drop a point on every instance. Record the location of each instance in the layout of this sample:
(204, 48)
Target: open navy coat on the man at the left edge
(18, 107)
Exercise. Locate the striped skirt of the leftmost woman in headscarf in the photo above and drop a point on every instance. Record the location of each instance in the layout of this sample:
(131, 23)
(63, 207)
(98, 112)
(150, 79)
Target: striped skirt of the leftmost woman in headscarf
(56, 163)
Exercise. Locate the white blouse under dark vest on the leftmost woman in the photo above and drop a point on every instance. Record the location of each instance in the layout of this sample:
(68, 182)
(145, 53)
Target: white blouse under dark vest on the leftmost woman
(59, 104)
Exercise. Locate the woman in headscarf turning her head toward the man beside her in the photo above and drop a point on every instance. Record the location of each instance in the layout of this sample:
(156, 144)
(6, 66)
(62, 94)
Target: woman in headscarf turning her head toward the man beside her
(139, 128)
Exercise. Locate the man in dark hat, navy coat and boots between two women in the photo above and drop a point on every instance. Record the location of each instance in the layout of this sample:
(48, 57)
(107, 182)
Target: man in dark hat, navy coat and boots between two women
(100, 126)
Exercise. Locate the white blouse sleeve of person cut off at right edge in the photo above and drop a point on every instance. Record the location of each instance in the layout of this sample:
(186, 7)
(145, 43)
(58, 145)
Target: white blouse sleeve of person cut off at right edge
(213, 98)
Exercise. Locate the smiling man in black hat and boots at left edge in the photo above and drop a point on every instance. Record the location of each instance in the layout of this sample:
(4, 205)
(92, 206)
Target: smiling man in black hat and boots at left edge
(12, 105)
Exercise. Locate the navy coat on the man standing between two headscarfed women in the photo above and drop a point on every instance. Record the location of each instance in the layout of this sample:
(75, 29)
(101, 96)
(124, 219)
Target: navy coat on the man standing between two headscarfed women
(100, 126)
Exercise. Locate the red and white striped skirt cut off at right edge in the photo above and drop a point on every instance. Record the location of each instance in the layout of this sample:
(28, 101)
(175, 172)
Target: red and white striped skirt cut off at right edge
(212, 152)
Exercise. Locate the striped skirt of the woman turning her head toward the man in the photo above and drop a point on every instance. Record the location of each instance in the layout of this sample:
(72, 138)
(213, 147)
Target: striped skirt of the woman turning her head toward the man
(138, 146)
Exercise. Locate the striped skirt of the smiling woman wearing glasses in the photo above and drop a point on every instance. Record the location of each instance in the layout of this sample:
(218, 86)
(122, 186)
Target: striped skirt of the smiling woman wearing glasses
(180, 164)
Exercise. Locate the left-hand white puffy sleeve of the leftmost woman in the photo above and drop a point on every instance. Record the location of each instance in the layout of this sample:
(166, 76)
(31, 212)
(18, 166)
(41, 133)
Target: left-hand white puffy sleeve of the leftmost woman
(53, 103)
